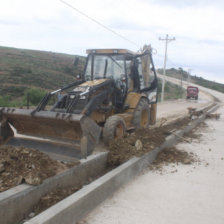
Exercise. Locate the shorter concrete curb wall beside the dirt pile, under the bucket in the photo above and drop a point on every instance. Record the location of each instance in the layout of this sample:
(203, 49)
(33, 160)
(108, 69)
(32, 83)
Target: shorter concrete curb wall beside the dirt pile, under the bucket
(17, 202)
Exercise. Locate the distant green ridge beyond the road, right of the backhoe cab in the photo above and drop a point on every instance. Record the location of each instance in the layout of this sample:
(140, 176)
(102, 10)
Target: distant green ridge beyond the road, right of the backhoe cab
(181, 74)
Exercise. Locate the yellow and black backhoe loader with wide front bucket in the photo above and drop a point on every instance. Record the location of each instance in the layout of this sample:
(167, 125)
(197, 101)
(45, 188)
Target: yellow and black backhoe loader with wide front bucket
(117, 92)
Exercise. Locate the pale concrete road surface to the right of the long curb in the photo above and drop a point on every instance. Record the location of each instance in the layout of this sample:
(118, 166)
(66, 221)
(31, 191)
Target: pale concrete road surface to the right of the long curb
(183, 194)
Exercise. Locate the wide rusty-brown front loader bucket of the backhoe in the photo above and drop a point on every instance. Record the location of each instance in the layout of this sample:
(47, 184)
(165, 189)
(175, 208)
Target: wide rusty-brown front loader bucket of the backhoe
(61, 127)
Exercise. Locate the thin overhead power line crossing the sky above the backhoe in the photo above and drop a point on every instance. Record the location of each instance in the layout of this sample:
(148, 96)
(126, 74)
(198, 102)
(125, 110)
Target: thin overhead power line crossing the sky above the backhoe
(100, 24)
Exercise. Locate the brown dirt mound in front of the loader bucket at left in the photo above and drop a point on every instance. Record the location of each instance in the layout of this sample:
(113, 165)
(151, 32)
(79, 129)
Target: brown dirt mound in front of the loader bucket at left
(24, 165)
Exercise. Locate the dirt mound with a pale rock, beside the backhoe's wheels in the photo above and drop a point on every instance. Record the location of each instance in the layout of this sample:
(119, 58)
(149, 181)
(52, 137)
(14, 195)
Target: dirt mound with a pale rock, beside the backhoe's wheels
(141, 141)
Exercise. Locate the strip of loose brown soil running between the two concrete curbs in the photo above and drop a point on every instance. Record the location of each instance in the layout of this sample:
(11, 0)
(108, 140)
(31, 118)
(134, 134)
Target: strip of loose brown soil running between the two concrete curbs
(120, 151)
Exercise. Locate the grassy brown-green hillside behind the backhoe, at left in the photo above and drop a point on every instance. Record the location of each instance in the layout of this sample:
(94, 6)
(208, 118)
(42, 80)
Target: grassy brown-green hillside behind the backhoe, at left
(23, 69)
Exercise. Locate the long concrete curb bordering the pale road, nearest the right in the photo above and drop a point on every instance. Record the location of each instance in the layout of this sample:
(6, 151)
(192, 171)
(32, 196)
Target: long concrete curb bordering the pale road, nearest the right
(79, 204)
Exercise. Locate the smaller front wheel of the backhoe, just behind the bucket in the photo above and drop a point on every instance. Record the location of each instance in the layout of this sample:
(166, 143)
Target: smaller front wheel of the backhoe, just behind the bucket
(114, 128)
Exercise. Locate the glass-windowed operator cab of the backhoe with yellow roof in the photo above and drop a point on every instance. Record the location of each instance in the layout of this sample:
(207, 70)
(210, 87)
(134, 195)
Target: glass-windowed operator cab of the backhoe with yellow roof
(131, 72)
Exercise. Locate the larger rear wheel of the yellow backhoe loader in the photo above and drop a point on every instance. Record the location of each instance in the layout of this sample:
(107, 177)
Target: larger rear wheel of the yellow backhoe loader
(141, 117)
